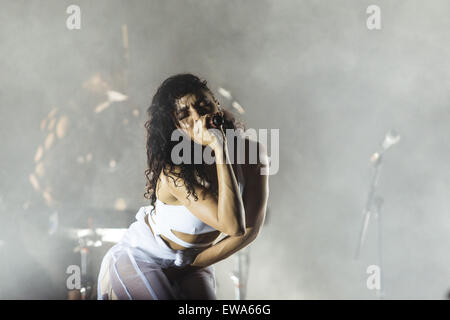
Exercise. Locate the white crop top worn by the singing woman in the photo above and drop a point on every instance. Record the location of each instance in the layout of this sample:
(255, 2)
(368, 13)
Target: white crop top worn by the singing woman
(166, 218)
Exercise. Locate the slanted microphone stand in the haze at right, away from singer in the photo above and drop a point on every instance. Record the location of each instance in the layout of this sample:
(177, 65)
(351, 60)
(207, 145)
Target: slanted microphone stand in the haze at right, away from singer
(373, 206)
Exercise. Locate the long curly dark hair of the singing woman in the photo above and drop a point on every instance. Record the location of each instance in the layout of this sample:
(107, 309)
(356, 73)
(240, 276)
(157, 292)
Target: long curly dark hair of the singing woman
(160, 125)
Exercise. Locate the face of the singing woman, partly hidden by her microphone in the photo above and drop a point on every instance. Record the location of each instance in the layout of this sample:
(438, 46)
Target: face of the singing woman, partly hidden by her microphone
(189, 109)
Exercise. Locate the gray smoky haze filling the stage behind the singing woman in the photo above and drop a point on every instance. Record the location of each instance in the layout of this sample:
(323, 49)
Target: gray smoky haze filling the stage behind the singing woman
(309, 68)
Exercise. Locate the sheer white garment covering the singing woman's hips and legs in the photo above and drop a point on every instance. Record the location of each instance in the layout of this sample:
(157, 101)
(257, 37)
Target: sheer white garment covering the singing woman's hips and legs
(133, 269)
